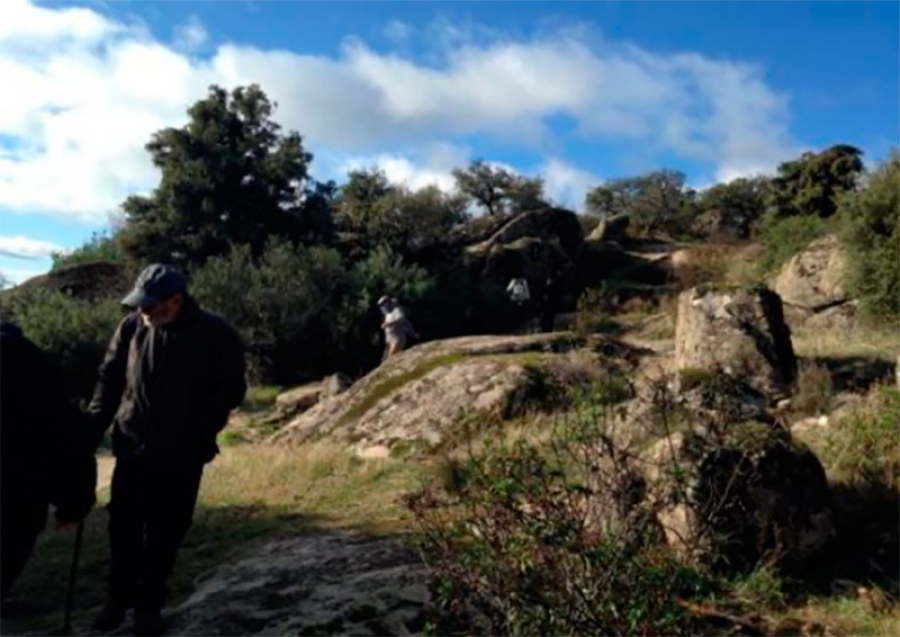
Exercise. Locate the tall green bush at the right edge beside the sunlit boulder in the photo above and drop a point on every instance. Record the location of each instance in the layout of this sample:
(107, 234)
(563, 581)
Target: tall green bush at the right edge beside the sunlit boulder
(870, 228)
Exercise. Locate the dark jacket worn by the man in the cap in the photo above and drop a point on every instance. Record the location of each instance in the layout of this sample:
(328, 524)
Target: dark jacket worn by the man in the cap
(169, 390)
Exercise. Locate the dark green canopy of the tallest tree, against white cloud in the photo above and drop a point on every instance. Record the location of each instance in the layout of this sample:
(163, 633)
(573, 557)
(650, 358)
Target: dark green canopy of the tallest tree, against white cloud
(229, 176)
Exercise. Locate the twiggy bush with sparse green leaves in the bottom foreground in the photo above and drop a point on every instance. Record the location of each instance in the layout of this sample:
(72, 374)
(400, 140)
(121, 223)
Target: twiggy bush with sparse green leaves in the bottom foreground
(516, 549)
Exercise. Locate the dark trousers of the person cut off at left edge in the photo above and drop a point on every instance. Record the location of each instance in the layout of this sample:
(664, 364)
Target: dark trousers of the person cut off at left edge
(23, 516)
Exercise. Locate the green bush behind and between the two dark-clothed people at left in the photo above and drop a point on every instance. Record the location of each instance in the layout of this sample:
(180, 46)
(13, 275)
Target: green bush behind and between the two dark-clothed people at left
(75, 331)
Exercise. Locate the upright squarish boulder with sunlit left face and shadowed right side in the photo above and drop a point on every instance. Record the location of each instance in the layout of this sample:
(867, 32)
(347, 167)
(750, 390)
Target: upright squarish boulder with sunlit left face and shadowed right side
(741, 330)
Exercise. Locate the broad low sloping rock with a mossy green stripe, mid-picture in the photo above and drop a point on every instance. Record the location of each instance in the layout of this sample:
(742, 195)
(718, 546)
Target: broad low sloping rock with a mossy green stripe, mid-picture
(414, 400)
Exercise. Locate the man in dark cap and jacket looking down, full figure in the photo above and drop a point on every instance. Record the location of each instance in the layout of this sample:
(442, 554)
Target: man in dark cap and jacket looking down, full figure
(171, 375)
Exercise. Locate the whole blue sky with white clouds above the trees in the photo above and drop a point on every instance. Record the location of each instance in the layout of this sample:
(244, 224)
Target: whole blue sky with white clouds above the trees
(578, 92)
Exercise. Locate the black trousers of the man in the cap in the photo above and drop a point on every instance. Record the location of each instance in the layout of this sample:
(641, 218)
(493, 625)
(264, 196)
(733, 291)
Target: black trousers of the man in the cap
(150, 511)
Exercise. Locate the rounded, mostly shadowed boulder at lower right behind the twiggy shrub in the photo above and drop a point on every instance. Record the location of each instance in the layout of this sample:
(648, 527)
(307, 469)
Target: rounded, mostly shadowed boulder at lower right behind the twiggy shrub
(741, 494)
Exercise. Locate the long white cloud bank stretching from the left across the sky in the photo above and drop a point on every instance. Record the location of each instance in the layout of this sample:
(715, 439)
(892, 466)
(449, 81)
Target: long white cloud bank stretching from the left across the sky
(90, 91)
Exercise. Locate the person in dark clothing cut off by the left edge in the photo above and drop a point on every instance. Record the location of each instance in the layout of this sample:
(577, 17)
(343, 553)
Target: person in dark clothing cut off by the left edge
(46, 457)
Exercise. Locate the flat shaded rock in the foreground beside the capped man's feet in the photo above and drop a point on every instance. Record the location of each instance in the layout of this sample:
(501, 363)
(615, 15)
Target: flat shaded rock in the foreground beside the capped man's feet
(312, 585)
